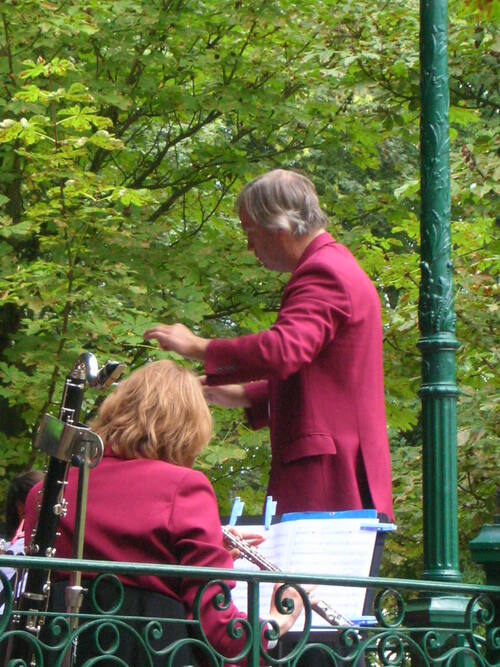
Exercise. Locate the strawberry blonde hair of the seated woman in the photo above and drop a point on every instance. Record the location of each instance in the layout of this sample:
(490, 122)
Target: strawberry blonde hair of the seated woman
(158, 412)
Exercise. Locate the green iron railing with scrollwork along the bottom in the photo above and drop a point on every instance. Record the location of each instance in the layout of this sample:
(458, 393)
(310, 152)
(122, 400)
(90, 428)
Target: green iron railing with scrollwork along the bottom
(389, 641)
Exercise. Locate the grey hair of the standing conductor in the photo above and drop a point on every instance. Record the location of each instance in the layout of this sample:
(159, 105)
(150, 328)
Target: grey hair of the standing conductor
(283, 199)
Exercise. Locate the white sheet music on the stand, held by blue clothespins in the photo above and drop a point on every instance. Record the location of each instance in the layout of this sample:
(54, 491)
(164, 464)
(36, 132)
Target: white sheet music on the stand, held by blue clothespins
(338, 547)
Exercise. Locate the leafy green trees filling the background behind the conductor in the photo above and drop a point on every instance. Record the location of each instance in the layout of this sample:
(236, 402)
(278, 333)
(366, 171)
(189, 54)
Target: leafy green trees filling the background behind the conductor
(127, 128)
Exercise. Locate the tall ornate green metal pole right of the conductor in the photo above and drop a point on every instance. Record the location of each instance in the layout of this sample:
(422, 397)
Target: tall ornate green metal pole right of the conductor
(436, 310)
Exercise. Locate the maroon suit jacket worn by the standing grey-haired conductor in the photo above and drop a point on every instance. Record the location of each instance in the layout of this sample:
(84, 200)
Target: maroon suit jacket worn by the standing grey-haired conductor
(322, 393)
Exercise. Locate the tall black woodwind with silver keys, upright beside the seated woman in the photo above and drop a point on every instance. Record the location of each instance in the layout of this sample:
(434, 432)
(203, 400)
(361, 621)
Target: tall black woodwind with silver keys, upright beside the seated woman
(66, 442)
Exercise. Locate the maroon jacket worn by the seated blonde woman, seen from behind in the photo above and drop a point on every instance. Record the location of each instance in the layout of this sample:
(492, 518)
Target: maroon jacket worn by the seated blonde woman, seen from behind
(148, 511)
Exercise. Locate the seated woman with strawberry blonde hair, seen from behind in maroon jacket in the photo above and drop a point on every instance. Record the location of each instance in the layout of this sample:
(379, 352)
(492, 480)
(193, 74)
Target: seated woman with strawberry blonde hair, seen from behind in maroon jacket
(146, 503)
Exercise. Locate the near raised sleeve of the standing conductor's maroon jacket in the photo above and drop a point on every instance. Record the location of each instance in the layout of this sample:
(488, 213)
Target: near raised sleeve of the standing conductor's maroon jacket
(314, 305)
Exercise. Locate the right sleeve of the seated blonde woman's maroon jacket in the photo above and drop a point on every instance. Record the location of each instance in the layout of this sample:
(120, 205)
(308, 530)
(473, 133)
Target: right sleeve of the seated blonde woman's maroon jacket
(195, 528)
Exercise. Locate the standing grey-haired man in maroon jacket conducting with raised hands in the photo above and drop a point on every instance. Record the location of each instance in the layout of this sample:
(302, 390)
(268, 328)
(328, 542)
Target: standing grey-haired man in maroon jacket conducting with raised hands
(316, 376)
